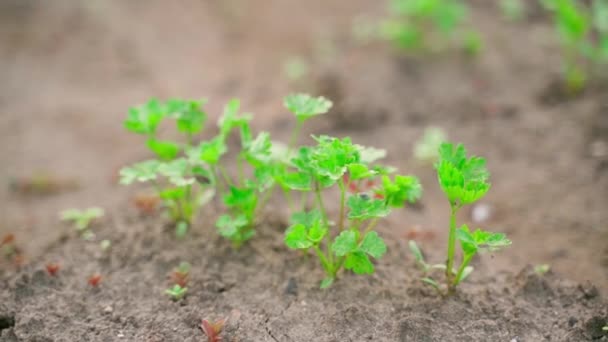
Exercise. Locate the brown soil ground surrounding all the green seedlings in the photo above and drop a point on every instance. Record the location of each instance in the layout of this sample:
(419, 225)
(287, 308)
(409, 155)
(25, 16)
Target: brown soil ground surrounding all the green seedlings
(70, 71)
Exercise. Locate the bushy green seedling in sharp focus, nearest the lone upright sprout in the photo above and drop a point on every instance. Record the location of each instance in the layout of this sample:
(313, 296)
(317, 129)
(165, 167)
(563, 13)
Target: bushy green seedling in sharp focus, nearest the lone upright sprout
(351, 241)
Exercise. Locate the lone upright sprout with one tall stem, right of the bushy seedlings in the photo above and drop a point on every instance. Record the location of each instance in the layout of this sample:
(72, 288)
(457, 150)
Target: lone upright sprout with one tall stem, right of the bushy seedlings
(464, 181)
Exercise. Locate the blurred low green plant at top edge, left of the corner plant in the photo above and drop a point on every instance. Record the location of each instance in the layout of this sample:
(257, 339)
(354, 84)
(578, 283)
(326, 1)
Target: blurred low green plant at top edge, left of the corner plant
(423, 25)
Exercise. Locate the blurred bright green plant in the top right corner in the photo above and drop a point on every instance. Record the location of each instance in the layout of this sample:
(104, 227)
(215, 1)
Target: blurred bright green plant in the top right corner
(583, 35)
